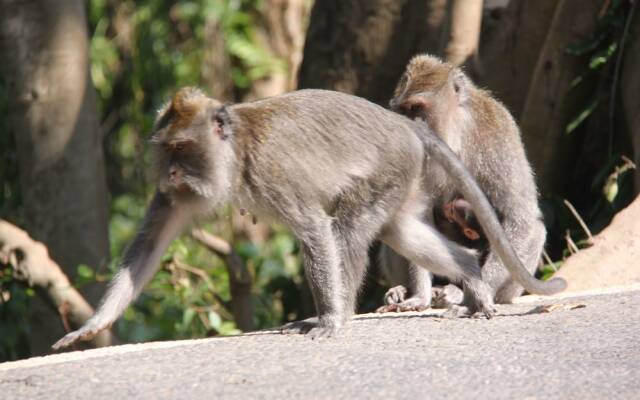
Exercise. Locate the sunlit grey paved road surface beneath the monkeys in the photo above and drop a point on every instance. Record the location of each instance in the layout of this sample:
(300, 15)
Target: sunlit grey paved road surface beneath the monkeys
(591, 352)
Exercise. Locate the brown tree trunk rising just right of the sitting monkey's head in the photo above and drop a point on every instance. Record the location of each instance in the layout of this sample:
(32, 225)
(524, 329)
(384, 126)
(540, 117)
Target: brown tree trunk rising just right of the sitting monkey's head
(509, 51)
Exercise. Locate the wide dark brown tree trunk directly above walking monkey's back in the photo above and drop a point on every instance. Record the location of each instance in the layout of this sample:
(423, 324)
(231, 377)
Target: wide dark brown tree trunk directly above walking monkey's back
(363, 46)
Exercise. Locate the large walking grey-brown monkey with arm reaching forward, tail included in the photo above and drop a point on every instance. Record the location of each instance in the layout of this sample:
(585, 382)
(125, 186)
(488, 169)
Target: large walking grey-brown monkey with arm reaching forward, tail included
(338, 170)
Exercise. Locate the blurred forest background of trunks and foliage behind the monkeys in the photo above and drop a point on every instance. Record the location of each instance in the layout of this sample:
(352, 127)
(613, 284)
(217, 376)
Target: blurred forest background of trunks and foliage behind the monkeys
(80, 82)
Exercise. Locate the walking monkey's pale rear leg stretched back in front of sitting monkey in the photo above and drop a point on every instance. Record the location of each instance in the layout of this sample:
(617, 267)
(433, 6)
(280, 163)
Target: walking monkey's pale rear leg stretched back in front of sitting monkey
(426, 247)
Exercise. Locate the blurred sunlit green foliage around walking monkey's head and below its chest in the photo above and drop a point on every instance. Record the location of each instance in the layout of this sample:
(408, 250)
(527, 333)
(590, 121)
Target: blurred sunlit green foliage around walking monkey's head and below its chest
(141, 52)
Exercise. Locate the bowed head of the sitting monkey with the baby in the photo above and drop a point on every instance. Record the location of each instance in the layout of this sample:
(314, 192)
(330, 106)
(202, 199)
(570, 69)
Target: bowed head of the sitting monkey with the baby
(431, 90)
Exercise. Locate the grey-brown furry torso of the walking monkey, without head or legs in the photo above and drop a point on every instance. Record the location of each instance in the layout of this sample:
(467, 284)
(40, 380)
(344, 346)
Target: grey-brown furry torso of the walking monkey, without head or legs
(319, 144)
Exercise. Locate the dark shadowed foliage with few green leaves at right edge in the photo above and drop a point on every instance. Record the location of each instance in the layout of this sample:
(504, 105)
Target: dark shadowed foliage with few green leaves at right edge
(610, 172)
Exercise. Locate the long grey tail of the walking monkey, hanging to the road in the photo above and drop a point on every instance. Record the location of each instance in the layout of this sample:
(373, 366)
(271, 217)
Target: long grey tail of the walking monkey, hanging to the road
(436, 147)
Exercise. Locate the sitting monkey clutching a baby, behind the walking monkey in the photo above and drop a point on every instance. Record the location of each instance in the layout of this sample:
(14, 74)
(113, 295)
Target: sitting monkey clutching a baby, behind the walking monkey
(480, 130)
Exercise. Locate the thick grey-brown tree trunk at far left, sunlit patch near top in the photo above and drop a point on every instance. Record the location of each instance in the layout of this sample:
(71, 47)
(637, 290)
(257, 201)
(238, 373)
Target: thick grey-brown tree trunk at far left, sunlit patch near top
(54, 119)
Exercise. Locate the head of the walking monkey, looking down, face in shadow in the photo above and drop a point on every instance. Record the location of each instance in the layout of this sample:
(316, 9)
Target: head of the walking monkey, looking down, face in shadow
(191, 141)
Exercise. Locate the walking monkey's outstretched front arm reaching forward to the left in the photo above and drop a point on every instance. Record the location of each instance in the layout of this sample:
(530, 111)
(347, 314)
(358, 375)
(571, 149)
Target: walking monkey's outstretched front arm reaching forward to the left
(161, 224)
